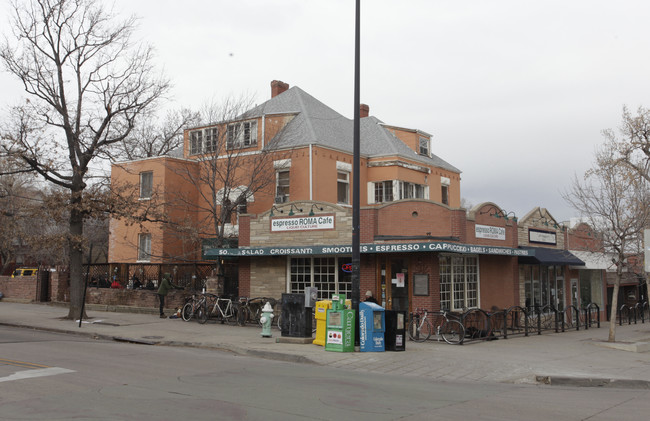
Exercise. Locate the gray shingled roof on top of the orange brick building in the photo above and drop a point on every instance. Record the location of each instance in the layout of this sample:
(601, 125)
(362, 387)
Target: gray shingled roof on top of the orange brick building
(317, 124)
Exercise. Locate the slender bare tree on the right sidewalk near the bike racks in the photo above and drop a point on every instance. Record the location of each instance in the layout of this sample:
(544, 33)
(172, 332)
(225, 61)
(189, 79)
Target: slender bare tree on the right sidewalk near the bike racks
(613, 200)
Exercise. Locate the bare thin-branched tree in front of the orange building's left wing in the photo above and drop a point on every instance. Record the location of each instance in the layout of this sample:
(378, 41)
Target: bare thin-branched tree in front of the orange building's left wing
(227, 171)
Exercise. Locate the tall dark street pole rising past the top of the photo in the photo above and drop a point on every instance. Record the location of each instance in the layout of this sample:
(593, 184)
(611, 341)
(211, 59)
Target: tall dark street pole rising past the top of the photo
(356, 224)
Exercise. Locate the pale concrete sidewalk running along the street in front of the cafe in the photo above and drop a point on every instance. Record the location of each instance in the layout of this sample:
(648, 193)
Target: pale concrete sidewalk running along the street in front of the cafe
(577, 357)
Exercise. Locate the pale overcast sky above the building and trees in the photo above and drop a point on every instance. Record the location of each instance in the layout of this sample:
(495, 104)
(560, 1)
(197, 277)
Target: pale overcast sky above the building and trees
(515, 93)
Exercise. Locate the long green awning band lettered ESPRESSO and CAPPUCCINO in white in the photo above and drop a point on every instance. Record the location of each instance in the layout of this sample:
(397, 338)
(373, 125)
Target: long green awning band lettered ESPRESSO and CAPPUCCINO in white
(213, 253)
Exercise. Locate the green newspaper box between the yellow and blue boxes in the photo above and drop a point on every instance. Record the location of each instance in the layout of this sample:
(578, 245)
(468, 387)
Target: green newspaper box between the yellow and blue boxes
(340, 327)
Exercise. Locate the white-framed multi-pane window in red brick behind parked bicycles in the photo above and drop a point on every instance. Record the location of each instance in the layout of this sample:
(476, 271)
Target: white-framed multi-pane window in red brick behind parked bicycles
(459, 282)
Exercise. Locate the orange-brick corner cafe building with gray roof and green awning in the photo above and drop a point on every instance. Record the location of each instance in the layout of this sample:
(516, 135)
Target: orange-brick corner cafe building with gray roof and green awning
(419, 247)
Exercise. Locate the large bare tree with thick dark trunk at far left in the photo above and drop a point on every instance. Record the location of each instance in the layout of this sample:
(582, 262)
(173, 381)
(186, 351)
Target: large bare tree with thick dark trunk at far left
(87, 85)
